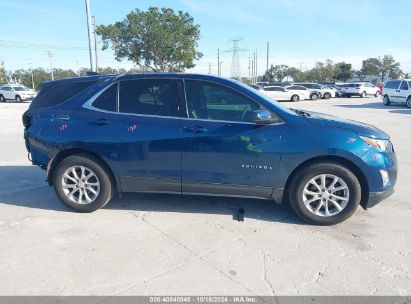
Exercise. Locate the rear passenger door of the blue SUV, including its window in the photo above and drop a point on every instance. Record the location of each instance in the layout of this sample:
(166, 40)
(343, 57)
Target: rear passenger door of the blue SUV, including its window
(136, 126)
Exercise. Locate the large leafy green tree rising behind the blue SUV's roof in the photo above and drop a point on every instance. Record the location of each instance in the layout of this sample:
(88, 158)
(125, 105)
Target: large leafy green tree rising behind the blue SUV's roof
(160, 39)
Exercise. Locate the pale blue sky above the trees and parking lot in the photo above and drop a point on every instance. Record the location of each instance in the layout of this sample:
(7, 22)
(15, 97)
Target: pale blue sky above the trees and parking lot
(299, 31)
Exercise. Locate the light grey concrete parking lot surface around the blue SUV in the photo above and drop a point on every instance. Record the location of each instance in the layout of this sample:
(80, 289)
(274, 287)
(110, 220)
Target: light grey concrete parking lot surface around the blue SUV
(168, 245)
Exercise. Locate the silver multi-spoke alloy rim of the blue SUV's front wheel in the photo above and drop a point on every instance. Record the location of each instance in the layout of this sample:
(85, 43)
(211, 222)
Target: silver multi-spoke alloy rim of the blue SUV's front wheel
(326, 195)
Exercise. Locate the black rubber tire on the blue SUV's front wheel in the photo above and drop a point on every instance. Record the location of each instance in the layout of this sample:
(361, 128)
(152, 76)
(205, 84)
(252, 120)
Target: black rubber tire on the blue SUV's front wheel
(302, 180)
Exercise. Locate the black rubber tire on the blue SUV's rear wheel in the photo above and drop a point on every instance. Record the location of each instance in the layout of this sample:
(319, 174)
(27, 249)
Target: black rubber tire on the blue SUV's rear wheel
(101, 177)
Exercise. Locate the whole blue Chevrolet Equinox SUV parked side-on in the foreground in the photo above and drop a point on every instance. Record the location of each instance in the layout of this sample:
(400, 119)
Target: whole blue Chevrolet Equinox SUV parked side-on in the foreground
(197, 134)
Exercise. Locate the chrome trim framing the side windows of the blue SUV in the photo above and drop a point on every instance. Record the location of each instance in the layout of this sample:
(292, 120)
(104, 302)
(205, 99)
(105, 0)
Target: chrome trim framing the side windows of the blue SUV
(89, 103)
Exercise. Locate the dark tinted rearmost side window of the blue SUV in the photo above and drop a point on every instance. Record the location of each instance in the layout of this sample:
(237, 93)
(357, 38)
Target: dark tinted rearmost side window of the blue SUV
(57, 93)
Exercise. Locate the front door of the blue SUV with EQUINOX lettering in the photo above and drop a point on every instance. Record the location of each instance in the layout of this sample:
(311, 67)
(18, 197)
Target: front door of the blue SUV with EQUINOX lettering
(223, 152)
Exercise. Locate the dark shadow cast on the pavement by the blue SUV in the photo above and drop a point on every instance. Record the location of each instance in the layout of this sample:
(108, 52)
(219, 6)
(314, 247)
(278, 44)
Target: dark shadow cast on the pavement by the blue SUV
(25, 186)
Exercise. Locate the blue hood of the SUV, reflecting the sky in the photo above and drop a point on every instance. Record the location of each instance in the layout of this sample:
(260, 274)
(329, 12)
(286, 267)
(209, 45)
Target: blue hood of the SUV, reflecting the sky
(332, 121)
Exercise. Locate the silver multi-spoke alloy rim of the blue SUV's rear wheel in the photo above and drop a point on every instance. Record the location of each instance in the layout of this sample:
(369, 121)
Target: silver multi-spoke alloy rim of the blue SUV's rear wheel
(80, 185)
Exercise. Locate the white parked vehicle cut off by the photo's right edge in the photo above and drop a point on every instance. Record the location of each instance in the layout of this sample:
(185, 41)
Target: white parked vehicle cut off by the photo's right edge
(397, 91)
